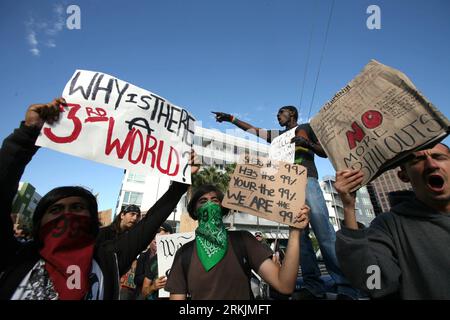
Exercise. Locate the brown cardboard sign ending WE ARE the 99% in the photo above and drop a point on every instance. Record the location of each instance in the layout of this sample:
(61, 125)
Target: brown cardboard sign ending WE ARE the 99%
(273, 190)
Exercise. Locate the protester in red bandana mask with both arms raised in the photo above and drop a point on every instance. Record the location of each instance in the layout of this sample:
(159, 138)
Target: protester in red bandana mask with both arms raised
(64, 261)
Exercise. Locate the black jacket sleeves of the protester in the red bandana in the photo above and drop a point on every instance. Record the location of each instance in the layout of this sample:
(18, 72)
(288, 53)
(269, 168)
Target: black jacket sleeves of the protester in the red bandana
(114, 257)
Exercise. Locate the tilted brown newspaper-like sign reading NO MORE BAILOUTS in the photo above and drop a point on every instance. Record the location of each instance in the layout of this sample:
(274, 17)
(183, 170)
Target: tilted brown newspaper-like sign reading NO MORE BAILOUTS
(376, 120)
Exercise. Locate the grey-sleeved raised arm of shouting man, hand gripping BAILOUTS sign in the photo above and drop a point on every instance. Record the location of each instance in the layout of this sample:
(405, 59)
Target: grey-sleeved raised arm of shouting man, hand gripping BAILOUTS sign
(364, 252)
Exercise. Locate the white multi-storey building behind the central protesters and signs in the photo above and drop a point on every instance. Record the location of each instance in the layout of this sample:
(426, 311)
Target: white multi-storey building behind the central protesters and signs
(214, 148)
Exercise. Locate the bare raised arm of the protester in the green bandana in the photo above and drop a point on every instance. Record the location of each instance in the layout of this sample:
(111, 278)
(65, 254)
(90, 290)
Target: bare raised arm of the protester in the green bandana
(283, 278)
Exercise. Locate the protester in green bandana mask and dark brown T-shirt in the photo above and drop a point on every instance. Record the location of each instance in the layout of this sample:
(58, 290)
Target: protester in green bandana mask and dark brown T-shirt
(214, 270)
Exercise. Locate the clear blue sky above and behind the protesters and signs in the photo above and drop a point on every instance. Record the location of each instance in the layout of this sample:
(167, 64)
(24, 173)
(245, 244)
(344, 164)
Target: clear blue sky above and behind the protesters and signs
(245, 57)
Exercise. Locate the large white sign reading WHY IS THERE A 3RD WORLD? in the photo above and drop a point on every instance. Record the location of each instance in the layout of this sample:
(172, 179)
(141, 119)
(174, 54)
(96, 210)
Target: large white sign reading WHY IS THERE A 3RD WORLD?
(114, 122)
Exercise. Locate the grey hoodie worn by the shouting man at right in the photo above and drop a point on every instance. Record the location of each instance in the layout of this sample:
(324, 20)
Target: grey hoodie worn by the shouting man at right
(411, 247)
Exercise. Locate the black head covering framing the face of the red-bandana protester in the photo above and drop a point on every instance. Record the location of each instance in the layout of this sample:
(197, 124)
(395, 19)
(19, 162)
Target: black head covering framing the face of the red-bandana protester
(64, 192)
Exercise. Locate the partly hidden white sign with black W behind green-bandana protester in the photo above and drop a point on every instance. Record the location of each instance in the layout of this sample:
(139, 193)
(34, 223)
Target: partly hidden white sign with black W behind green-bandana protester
(167, 246)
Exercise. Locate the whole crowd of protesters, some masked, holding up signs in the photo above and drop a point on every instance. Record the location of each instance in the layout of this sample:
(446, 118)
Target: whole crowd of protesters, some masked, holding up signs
(402, 254)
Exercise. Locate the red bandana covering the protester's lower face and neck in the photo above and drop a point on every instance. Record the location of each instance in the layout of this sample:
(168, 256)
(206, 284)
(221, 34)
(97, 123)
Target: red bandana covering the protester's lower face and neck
(67, 251)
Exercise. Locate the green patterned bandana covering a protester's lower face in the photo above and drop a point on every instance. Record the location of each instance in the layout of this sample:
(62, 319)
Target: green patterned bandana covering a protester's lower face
(211, 236)
